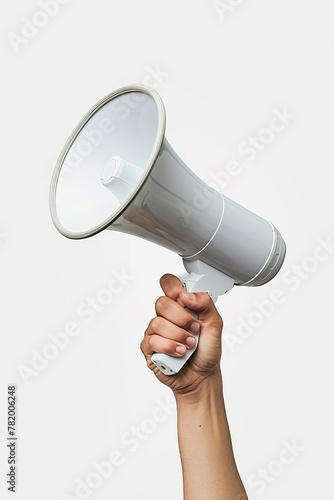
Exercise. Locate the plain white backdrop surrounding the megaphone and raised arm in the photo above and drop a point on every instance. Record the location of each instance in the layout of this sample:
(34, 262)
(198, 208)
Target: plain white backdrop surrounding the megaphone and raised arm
(221, 75)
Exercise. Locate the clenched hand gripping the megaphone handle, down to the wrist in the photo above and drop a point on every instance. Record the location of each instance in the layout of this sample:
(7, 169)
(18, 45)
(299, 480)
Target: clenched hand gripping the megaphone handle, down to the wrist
(170, 330)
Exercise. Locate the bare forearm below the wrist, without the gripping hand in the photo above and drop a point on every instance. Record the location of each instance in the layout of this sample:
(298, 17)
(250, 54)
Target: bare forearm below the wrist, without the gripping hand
(208, 465)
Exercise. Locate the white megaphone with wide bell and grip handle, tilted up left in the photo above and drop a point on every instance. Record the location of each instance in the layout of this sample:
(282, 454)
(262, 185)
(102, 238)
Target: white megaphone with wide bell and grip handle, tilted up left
(117, 171)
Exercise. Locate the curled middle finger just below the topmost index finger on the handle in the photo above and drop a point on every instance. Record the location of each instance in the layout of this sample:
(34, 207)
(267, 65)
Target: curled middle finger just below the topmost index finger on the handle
(175, 313)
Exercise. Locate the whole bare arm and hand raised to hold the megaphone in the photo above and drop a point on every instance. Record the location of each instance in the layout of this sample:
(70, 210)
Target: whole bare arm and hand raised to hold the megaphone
(208, 464)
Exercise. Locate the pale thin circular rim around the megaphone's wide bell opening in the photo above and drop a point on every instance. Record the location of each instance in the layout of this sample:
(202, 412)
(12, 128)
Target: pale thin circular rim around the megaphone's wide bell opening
(160, 135)
